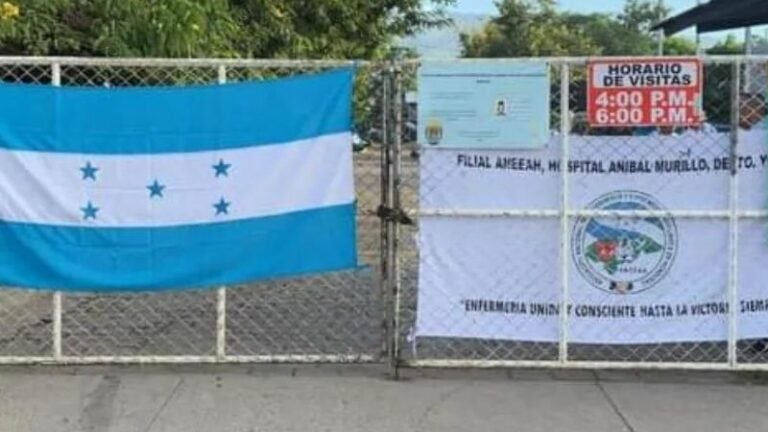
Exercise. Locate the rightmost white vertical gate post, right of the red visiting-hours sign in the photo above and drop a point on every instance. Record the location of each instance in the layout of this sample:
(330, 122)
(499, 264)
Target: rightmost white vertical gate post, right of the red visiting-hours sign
(733, 237)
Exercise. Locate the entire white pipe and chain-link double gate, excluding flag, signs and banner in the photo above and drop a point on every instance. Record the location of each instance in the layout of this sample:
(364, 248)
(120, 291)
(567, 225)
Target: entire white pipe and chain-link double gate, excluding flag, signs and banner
(366, 315)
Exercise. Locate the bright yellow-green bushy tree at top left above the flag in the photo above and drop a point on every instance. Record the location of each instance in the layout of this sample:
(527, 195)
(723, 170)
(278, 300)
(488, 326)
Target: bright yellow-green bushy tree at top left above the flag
(172, 28)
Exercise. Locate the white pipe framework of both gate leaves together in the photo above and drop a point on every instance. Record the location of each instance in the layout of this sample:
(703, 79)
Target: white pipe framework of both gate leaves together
(391, 217)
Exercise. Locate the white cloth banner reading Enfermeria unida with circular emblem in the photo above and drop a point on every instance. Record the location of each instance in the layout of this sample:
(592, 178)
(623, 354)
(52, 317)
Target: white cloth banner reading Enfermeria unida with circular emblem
(631, 280)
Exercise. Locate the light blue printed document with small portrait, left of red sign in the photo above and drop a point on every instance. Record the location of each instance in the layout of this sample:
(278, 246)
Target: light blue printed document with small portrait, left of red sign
(484, 105)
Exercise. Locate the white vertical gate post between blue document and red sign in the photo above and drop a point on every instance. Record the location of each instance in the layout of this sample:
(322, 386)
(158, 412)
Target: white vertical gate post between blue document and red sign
(565, 246)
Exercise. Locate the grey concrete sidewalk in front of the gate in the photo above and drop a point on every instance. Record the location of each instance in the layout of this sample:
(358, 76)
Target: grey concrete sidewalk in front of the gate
(361, 398)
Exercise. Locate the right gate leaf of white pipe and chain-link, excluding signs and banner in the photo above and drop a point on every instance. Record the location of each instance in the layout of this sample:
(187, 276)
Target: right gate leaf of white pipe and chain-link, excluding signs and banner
(733, 86)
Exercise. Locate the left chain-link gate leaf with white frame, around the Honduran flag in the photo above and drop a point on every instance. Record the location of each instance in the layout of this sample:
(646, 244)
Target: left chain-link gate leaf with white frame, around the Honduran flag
(337, 317)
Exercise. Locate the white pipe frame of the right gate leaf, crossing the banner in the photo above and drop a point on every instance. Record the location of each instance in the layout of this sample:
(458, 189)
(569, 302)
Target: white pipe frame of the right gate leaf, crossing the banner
(733, 215)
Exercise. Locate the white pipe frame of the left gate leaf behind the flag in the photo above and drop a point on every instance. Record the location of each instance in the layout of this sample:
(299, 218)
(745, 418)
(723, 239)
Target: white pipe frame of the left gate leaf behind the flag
(221, 67)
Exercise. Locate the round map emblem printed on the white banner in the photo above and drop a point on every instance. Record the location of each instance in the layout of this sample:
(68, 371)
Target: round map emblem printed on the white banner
(624, 255)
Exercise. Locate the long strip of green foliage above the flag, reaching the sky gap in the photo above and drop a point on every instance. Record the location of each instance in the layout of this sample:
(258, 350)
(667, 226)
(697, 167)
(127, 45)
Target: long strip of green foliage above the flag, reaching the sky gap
(215, 28)
